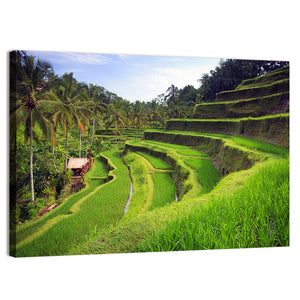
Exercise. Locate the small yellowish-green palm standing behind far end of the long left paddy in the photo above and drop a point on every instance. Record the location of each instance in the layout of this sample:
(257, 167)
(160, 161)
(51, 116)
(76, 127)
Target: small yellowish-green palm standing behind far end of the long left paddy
(116, 117)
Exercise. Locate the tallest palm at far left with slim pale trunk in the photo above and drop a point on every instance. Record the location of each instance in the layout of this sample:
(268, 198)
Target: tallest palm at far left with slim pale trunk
(30, 87)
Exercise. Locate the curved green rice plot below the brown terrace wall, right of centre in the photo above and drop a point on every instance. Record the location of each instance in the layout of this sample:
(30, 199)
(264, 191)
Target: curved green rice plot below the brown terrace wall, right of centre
(208, 175)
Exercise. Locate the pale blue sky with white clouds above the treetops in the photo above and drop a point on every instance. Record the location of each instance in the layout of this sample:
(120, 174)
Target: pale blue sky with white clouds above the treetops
(132, 77)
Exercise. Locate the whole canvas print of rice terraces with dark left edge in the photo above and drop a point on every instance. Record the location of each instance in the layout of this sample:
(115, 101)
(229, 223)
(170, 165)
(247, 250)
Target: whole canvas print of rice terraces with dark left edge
(115, 153)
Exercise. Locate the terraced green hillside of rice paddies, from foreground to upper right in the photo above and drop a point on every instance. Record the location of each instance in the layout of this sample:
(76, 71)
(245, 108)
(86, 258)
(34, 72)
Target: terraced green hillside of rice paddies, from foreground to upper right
(218, 181)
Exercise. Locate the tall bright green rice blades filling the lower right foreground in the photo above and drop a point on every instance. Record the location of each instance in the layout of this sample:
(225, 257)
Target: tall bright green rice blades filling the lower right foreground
(255, 215)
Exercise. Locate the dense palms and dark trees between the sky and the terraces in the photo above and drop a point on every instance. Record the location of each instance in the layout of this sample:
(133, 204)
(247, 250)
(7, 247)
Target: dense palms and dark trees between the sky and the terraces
(56, 117)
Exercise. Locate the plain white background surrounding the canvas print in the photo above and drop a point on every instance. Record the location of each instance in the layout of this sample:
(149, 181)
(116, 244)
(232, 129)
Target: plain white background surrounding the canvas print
(223, 29)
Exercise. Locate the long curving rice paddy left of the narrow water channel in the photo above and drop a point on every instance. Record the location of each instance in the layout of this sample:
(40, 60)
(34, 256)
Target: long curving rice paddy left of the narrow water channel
(104, 206)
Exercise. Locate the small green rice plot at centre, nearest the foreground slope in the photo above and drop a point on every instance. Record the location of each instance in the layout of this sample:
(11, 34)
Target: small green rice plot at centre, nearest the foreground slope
(164, 190)
